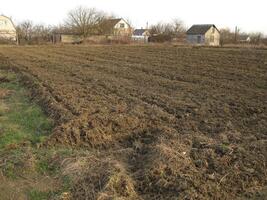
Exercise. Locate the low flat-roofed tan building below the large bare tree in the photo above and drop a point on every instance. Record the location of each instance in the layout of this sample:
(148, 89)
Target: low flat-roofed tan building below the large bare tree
(67, 38)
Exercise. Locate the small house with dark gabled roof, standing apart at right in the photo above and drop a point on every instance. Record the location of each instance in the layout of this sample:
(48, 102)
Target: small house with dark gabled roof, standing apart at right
(203, 34)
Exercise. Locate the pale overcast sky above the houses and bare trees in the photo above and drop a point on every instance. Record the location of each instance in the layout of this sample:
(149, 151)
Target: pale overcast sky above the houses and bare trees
(247, 15)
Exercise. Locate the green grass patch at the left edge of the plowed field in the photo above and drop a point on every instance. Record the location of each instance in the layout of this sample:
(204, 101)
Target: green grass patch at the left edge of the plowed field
(21, 120)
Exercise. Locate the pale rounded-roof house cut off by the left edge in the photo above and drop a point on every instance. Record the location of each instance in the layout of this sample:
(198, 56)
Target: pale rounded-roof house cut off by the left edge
(7, 29)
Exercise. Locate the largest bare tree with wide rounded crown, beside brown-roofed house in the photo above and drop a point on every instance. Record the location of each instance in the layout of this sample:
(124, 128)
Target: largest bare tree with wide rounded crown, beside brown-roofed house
(84, 21)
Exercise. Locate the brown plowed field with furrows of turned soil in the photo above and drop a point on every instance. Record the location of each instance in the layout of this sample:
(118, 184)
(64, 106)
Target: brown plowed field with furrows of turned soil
(166, 122)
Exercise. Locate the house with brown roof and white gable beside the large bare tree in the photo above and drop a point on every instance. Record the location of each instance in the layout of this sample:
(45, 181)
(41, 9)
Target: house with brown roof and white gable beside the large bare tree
(115, 27)
